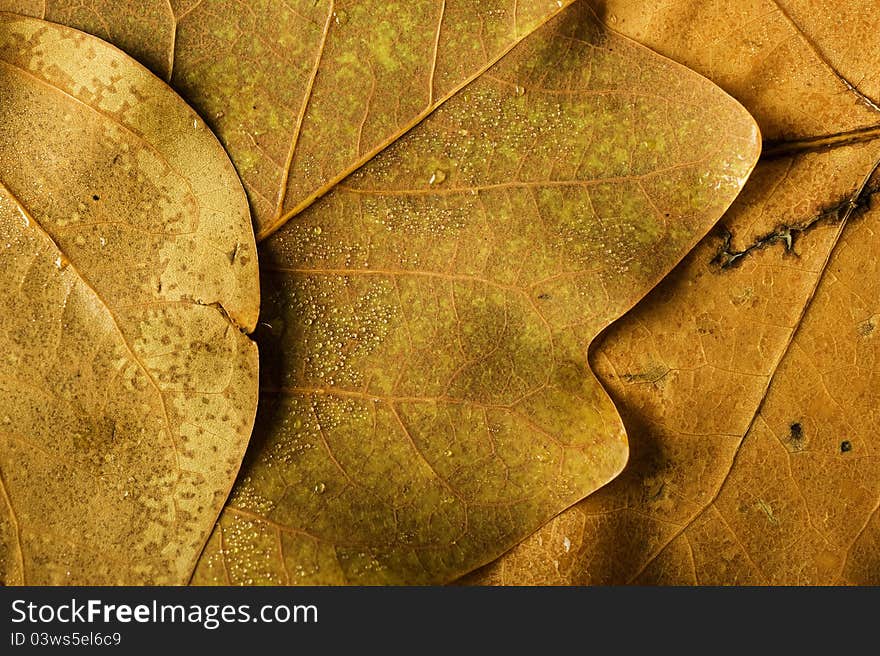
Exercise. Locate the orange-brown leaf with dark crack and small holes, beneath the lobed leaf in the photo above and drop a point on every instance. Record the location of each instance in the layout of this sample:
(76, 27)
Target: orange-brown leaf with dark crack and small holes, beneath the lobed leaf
(747, 380)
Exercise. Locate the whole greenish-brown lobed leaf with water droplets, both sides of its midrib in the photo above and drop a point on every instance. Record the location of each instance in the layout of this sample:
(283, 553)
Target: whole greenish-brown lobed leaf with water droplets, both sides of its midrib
(390, 449)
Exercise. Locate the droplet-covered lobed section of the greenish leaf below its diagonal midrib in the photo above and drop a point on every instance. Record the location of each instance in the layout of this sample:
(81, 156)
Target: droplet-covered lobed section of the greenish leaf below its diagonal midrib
(426, 399)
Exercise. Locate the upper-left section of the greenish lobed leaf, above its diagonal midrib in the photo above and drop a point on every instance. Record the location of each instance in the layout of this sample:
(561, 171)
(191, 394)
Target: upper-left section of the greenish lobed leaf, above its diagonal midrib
(303, 92)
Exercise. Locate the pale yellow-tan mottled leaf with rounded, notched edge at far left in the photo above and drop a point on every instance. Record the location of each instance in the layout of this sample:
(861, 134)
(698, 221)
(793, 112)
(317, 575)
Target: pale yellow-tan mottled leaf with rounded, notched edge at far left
(127, 389)
